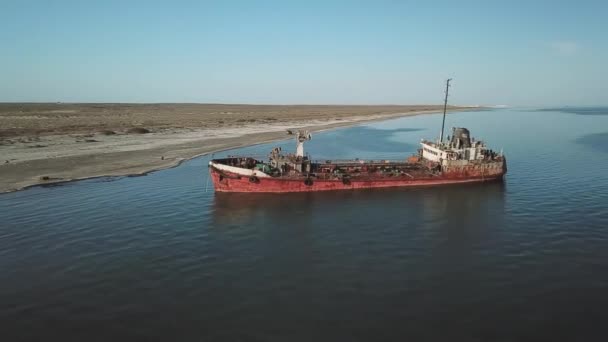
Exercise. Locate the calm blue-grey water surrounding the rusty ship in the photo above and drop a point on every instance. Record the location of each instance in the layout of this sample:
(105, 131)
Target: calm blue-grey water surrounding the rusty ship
(160, 258)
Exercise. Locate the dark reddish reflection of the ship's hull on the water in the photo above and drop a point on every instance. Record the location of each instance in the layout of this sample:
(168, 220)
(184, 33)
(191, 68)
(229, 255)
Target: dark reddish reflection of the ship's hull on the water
(464, 202)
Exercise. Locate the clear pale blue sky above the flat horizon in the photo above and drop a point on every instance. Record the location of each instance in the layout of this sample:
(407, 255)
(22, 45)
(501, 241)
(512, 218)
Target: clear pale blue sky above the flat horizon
(359, 52)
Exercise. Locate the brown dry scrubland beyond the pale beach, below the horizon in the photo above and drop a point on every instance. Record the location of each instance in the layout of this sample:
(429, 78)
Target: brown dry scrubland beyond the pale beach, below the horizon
(32, 119)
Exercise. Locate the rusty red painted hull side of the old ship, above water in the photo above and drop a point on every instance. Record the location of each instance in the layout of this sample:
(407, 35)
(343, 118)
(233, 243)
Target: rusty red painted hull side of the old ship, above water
(233, 183)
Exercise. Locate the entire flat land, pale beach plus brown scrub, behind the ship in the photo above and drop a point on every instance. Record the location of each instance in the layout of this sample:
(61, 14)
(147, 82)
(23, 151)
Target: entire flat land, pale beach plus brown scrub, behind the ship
(47, 143)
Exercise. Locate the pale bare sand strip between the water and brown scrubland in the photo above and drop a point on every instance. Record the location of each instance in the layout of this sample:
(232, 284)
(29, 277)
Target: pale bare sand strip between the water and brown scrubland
(153, 152)
